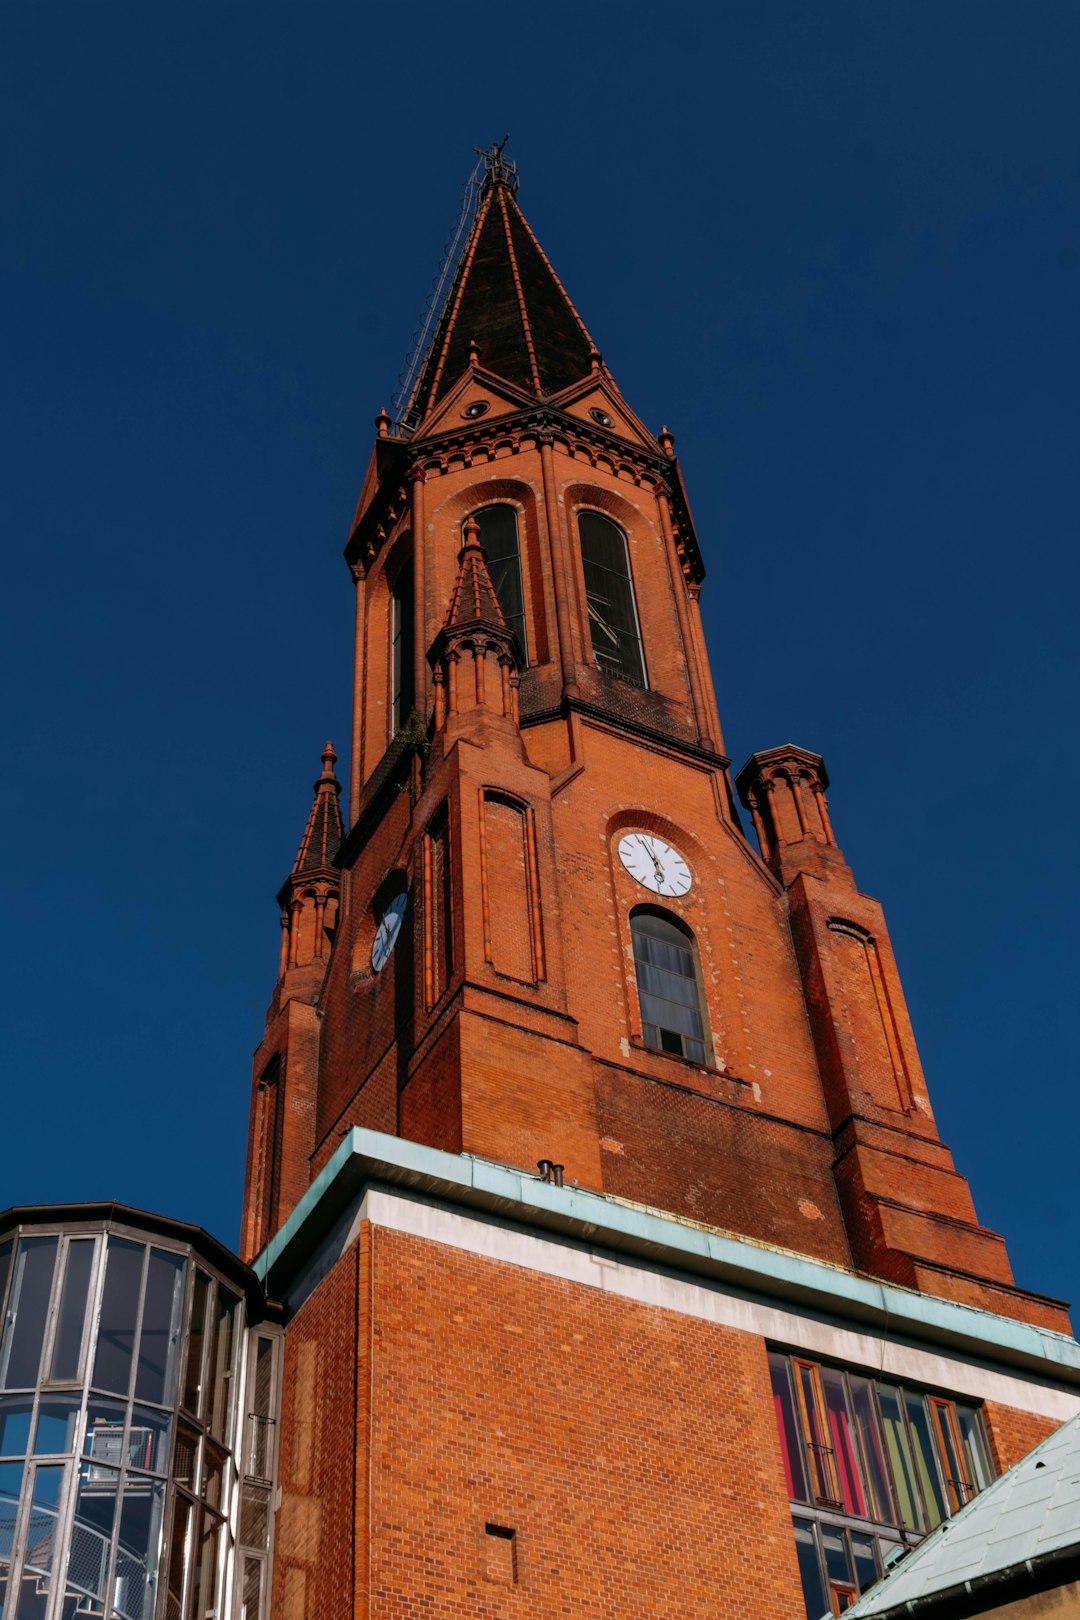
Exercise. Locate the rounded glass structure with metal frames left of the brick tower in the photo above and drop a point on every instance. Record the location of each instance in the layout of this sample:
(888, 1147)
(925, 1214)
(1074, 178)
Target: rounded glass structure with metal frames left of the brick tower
(138, 1404)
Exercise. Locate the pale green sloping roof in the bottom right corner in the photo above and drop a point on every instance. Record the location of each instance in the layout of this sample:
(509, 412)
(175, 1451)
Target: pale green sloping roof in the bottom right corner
(1029, 1517)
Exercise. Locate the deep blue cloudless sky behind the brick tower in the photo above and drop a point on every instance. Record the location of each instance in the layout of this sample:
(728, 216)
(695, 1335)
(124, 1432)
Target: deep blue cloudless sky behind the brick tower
(835, 245)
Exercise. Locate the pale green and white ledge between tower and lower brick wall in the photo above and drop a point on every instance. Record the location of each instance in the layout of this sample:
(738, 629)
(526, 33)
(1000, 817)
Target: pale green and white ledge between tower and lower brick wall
(368, 1159)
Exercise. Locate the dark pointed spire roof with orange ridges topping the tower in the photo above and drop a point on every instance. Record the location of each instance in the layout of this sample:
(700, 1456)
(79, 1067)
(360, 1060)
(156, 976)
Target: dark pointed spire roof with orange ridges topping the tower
(508, 301)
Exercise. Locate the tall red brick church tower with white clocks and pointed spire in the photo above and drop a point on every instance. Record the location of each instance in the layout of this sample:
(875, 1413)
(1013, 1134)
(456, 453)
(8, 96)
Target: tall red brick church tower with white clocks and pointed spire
(592, 1159)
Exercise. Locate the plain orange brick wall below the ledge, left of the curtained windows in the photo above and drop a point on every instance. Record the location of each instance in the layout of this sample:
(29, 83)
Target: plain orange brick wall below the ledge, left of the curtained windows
(632, 1452)
